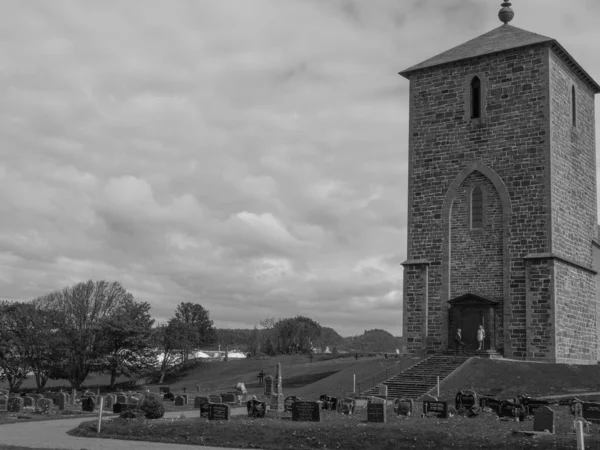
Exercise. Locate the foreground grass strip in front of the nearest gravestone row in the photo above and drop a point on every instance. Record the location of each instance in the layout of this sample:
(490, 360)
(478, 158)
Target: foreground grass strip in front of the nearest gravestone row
(338, 431)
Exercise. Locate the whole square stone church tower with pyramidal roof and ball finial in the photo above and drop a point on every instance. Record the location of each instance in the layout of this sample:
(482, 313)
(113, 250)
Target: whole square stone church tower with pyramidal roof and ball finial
(502, 220)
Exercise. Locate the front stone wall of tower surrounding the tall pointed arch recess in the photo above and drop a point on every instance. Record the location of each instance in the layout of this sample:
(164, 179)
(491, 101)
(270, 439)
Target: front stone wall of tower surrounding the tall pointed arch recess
(510, 140)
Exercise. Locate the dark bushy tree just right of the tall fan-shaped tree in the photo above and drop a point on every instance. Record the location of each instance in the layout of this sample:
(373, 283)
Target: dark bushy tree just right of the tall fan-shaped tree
(127, 342)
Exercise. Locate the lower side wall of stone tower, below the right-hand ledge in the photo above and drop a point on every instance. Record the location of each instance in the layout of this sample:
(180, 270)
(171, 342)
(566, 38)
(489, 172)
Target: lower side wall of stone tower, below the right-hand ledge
(575, 315)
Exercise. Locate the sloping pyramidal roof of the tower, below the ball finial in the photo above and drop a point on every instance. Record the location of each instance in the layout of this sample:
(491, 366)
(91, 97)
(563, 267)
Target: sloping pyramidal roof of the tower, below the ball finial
(505, 37)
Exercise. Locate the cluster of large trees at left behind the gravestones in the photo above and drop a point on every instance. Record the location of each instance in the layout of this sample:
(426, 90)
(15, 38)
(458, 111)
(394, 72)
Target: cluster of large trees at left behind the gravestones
(95, 327)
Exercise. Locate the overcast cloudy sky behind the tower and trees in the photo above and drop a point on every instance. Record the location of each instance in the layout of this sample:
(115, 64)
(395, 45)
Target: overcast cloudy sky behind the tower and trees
(249, 155)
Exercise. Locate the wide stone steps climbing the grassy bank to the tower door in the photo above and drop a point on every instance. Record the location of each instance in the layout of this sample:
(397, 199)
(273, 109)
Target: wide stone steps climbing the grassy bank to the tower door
(419, 379)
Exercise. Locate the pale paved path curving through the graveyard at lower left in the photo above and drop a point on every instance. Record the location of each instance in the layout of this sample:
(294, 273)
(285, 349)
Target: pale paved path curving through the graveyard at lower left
(53, 434)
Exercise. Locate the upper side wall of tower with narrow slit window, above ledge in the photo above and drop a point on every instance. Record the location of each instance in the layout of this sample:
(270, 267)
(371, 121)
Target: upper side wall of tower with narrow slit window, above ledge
(574, 215)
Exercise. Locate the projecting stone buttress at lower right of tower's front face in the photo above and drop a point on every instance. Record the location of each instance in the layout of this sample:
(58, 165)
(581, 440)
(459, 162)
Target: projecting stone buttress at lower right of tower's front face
(540, 310)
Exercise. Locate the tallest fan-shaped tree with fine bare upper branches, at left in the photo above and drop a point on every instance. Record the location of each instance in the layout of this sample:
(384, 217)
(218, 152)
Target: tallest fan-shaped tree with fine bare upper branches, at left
(81, 309)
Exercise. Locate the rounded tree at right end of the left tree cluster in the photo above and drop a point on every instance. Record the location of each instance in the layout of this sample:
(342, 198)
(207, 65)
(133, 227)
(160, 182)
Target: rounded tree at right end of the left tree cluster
(201, 327)
